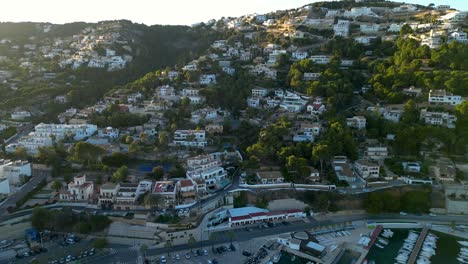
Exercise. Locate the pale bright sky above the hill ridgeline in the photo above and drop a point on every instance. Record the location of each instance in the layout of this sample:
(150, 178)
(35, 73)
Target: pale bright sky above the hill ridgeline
(150, 12)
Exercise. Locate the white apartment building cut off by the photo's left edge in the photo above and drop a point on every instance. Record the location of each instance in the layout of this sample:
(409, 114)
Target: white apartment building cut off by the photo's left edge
(14, 171)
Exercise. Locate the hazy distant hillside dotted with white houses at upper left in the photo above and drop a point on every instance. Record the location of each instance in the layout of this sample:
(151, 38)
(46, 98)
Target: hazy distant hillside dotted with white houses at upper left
(39, 61)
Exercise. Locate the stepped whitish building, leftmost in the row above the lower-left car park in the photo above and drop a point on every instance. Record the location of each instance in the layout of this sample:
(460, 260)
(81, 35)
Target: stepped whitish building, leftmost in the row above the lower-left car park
(78, 190)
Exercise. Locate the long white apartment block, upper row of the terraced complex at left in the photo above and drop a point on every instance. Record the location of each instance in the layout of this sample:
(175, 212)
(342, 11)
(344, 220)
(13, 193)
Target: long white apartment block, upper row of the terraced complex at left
(60, 131)
